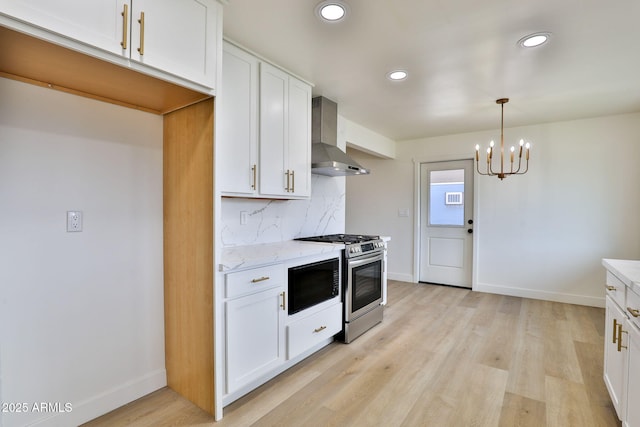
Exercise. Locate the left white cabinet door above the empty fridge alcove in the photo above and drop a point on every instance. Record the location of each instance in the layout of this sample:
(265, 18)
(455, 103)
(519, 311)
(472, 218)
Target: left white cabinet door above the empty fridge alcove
(97, 23)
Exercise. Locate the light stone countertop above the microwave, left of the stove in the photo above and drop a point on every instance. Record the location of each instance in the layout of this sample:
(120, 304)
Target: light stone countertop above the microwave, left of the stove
(247, 256)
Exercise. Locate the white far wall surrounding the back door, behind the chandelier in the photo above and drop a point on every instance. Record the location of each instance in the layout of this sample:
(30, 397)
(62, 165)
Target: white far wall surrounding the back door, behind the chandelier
(540, 235)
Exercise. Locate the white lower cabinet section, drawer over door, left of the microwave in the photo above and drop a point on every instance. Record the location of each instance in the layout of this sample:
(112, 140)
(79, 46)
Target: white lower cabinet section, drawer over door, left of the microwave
(254, 324)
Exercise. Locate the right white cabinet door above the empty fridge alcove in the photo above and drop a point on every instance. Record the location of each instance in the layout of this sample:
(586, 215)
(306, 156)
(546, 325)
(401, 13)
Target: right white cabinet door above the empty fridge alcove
(179, 37)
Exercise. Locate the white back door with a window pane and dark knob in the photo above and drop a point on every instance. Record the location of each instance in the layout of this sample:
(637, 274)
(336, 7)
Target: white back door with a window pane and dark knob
(446, 222)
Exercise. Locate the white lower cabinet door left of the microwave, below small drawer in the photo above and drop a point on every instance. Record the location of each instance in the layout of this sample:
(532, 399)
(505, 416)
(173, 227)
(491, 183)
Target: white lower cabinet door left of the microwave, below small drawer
(255, 344)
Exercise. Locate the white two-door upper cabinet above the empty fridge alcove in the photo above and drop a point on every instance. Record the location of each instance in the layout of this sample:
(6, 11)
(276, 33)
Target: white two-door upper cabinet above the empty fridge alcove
(179, 37)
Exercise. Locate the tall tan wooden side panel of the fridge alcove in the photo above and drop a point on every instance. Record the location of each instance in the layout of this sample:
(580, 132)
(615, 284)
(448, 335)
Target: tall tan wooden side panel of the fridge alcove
(188, 252)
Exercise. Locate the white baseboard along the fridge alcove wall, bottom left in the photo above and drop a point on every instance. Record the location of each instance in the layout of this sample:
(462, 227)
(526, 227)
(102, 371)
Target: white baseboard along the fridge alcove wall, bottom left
(107, 401)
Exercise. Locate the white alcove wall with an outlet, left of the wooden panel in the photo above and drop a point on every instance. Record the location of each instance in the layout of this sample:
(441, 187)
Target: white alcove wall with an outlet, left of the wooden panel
(81, 314)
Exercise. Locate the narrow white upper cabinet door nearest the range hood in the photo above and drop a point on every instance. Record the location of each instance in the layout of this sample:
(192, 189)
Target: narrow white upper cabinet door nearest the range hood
(299, 149)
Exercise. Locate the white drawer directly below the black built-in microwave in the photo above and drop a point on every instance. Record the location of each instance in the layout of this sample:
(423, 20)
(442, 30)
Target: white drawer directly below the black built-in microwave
(311, 330)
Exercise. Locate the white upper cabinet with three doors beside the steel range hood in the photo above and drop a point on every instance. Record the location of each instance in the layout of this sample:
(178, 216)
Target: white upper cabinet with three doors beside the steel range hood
(264, 129)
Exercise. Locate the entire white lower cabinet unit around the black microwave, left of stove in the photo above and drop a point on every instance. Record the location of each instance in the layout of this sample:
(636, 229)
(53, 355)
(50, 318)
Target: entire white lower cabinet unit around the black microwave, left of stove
(261, 338)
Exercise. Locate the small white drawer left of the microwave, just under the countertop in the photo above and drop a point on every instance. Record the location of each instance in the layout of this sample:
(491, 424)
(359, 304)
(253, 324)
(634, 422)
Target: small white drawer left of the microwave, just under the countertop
(254, 280)
